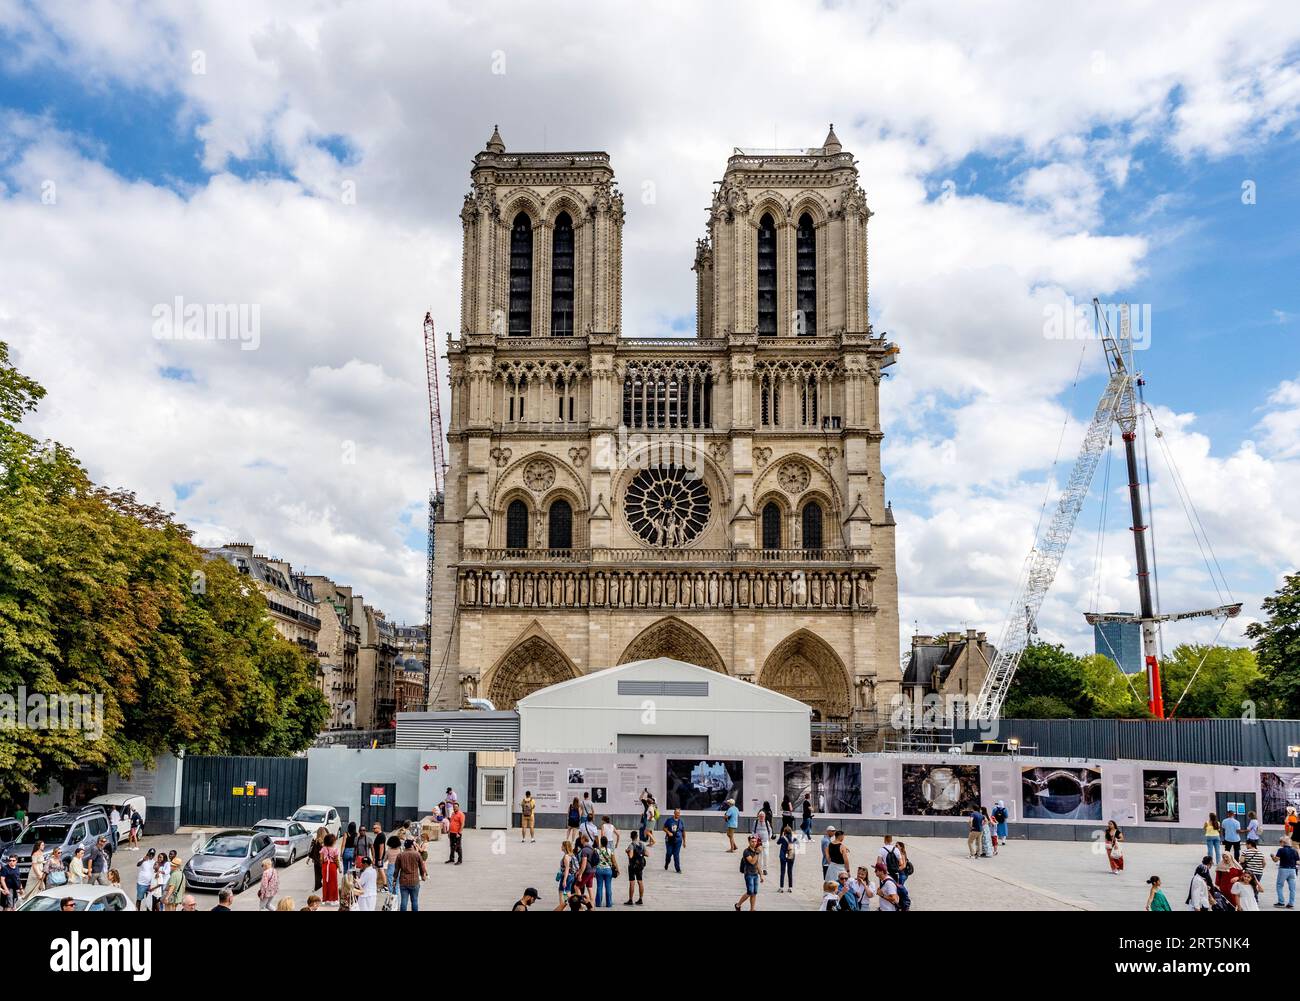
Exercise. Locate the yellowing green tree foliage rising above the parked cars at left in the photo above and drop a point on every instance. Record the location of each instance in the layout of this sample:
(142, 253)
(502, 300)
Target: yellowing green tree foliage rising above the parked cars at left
(103, 596)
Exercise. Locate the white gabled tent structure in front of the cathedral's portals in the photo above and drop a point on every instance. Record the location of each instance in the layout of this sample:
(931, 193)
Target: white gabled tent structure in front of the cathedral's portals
(664, 707)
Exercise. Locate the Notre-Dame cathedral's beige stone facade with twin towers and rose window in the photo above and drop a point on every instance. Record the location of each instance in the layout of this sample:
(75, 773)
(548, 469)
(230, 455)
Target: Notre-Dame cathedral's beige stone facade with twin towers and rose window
(716, 499)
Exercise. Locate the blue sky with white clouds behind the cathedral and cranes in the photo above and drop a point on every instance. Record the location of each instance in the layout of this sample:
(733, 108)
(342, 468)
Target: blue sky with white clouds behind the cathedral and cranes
(1008, 167)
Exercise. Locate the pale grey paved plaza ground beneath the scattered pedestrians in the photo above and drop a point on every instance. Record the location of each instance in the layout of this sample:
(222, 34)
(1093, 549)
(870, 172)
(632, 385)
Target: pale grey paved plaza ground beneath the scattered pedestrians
(1028, 876)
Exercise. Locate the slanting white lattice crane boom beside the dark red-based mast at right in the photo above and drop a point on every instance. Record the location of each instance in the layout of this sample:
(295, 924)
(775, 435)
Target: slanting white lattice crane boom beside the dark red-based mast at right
(1046, 557)
